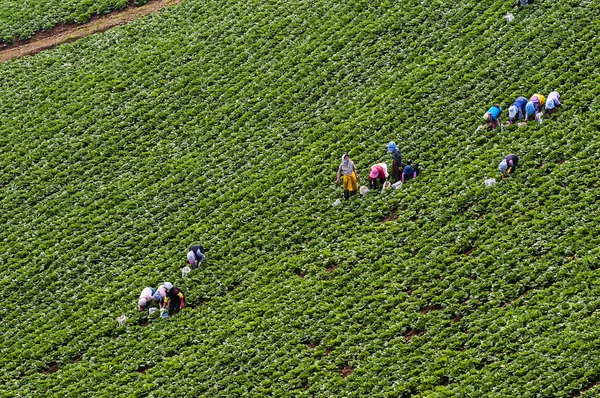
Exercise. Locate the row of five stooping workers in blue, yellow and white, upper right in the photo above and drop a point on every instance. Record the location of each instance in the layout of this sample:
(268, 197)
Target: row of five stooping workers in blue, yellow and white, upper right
(523, 109)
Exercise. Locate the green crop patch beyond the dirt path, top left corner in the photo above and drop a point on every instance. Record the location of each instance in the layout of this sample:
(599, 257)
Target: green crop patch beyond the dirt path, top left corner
(21, 21)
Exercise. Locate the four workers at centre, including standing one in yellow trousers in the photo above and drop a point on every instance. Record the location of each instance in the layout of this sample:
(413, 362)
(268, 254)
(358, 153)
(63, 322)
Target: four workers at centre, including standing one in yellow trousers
(378, 172)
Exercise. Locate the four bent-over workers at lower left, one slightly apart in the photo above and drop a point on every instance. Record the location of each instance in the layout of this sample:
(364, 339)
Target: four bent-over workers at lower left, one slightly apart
(170, 299)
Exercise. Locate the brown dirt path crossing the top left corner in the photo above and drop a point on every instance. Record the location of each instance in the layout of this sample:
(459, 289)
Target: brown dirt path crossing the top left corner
(66, 33)
